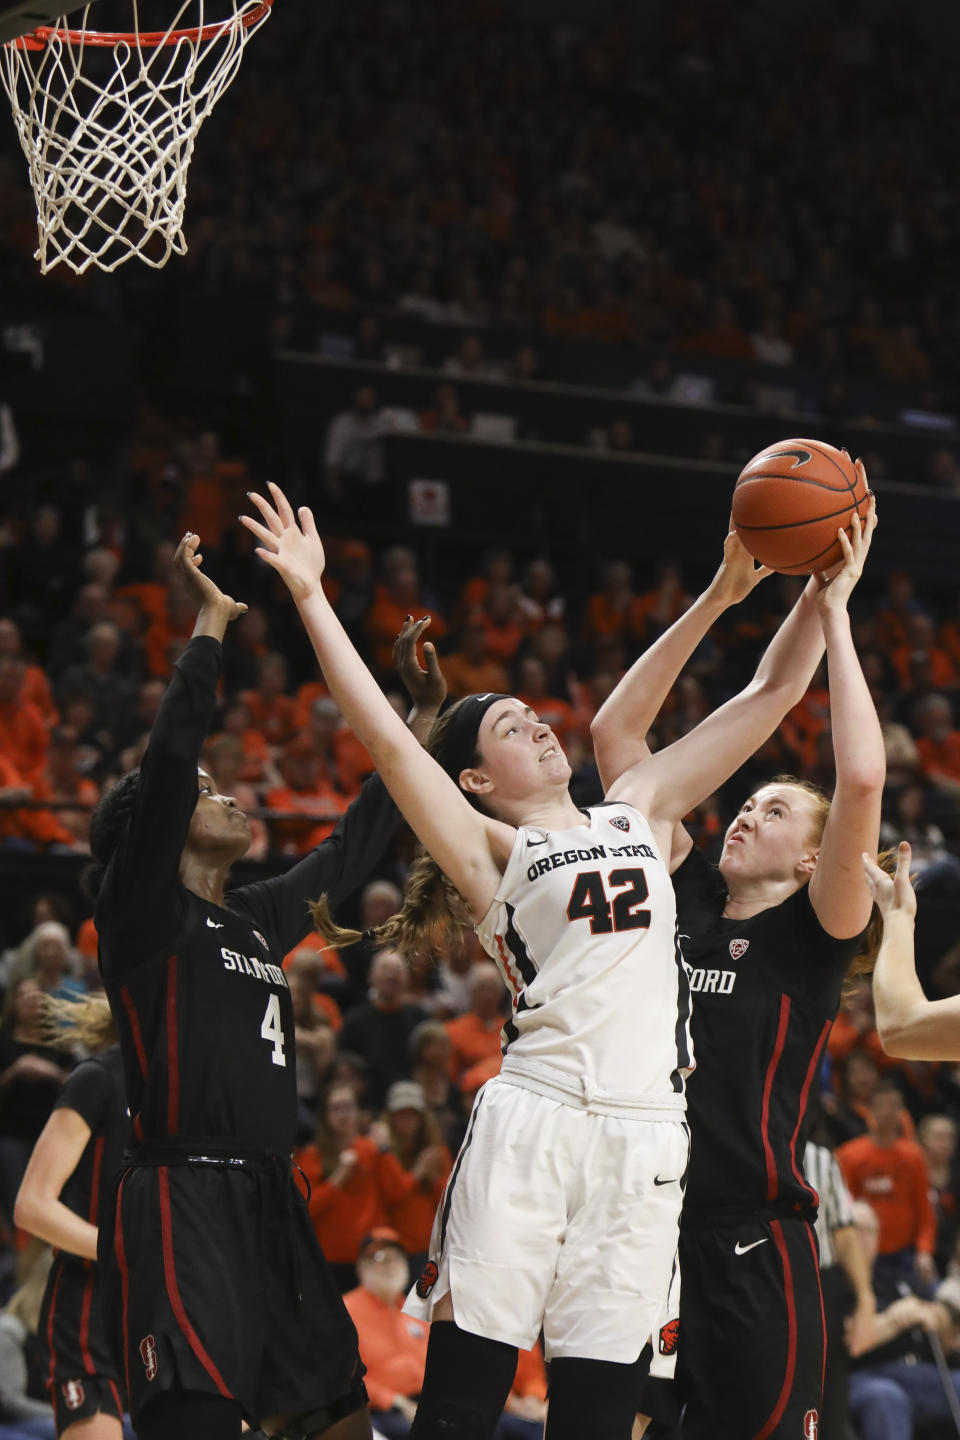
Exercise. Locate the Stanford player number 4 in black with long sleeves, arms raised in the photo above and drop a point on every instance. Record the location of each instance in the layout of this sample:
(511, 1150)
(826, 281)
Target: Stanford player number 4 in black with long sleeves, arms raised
(224, 1302)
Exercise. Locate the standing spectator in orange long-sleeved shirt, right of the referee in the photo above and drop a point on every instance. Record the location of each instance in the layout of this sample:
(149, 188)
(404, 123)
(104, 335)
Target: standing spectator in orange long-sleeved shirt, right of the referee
(892, 1174)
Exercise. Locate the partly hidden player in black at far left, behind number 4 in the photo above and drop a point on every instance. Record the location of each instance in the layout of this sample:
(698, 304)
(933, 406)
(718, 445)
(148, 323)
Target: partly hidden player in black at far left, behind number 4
(73, 1163)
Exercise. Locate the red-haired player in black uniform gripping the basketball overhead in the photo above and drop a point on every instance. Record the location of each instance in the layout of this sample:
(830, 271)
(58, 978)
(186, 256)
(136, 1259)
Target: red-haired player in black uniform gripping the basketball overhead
(766, 944)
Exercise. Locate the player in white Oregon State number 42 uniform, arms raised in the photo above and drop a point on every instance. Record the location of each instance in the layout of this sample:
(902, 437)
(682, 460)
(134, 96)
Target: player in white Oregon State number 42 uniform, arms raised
(562, 1210)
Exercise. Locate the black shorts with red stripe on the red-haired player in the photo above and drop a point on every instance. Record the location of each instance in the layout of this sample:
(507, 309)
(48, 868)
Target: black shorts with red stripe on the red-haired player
(752, 1349)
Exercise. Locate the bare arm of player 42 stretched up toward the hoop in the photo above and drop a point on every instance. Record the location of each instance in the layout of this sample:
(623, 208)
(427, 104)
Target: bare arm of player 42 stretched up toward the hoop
(457, 836)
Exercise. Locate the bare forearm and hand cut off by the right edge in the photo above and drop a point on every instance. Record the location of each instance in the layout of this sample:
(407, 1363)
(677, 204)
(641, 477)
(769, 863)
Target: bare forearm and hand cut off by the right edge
(910, 1026)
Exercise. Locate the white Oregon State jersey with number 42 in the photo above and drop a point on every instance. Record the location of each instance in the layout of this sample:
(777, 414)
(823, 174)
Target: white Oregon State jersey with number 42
(584, 931)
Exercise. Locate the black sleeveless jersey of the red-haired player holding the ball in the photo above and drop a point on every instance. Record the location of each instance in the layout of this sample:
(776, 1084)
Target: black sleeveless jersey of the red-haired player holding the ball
(765, 994)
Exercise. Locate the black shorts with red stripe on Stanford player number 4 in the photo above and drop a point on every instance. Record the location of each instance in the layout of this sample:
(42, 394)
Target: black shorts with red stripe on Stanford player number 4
(218, 1285)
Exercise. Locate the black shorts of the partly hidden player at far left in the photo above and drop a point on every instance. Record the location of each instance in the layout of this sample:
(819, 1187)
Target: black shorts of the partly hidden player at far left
(81, 1377)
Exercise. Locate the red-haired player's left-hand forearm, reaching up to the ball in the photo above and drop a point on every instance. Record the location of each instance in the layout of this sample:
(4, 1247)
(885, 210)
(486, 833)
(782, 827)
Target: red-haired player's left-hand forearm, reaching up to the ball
(620, 726)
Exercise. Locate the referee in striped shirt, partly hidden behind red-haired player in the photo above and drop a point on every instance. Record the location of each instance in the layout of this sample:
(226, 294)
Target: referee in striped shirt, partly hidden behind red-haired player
(848, 1297)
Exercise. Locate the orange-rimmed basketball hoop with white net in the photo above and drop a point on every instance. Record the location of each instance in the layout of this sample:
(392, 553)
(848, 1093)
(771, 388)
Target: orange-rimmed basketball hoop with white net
(109, 122)
